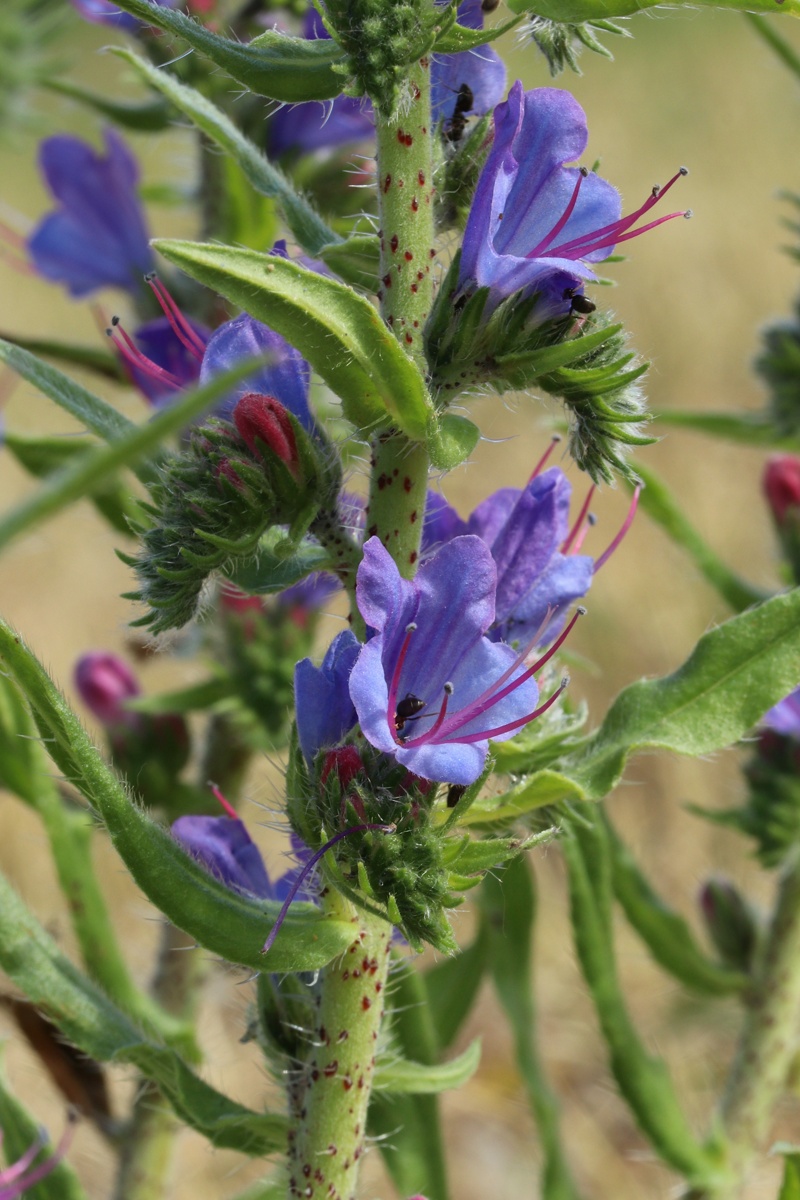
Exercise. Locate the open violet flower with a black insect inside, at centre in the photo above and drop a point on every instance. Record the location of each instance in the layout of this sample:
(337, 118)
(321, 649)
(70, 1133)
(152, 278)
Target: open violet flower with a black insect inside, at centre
(430, 663)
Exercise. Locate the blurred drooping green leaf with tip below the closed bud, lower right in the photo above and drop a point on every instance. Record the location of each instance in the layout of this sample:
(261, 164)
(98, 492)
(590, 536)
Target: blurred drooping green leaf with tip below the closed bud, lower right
(665, 933)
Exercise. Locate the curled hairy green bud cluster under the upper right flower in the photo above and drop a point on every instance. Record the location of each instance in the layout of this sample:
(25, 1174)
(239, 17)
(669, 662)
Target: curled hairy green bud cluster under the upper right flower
(582, 362)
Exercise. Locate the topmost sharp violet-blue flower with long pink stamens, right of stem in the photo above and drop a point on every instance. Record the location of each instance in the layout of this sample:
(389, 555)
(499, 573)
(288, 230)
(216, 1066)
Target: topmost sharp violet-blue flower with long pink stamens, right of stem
(536, 225)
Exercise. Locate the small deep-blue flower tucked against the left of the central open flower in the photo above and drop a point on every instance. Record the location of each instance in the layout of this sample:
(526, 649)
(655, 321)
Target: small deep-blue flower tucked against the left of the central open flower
(324, 710)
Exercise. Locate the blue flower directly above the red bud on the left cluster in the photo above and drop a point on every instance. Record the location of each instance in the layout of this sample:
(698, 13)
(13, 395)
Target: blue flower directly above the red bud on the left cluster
(286, 377)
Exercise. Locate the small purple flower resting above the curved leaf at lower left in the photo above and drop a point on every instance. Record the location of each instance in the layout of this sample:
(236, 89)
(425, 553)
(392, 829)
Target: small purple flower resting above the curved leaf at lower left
(226, 850)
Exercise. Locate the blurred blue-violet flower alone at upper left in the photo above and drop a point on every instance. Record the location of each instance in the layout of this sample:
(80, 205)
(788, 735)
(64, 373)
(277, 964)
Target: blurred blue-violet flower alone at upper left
(98, 237)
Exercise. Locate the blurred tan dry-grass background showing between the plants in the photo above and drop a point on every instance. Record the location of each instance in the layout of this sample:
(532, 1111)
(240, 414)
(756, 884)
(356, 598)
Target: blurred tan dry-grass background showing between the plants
(694, 88)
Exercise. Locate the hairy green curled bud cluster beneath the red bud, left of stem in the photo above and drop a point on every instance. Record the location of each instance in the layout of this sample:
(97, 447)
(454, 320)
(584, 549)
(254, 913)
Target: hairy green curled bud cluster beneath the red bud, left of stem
(212, 506)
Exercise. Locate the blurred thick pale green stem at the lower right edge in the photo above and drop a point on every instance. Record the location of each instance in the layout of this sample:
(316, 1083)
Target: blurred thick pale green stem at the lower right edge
(769, 1041)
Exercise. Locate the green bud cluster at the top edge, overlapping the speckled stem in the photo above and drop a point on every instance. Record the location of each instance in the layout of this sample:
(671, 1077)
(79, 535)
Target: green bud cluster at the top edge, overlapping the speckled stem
(381, 41)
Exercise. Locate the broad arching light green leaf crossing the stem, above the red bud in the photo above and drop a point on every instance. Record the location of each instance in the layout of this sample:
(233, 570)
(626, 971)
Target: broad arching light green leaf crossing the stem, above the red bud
(338, 331)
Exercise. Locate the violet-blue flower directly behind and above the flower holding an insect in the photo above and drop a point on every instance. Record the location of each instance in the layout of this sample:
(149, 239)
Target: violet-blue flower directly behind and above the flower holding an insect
(527, 531)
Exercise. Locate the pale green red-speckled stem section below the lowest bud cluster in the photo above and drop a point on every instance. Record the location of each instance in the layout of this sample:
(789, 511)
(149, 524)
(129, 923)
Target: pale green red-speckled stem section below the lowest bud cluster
(330, 1101)
